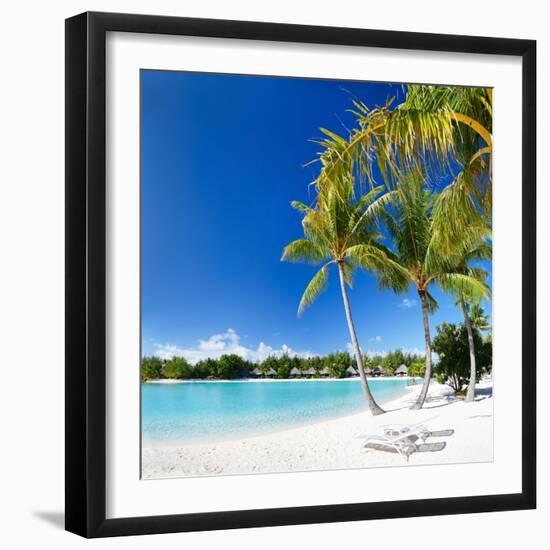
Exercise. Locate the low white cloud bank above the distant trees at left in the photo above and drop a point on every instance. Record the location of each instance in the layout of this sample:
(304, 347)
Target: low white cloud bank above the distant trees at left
(225, 343)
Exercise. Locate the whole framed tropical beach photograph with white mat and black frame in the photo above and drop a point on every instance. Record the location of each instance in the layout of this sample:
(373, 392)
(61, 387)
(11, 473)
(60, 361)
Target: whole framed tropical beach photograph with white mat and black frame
(300, 274)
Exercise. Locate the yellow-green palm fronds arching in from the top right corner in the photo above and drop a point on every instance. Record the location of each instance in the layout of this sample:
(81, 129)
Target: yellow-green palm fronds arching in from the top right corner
(436, 128)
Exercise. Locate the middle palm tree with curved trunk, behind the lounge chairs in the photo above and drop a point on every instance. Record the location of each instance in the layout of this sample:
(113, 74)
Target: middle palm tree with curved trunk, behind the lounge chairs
(409, 223)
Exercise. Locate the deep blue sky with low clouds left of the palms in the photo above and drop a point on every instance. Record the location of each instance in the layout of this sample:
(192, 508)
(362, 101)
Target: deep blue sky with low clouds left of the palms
(222, 157)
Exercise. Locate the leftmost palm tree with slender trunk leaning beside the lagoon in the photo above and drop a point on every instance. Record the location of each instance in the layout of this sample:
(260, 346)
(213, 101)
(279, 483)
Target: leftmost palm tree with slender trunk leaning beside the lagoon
(338, 232)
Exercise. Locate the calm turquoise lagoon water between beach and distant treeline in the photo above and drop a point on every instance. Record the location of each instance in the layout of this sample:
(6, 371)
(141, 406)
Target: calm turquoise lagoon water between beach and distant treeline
(192, 411)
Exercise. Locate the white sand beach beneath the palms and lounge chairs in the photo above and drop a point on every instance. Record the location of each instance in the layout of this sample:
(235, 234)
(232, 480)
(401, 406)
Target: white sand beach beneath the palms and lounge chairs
(337, 443)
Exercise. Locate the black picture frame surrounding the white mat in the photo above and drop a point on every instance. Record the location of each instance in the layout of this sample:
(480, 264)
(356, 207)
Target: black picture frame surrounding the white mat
(86, 268)
